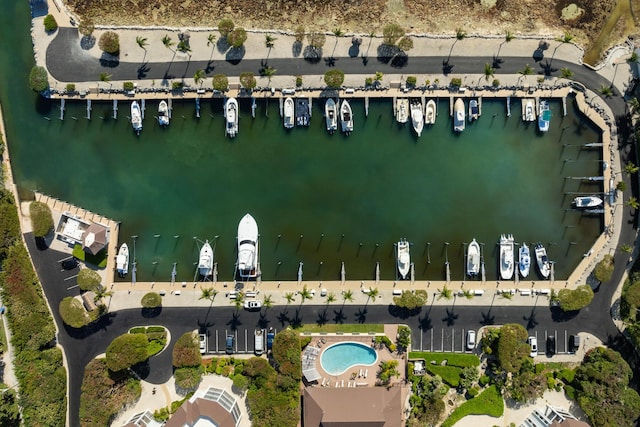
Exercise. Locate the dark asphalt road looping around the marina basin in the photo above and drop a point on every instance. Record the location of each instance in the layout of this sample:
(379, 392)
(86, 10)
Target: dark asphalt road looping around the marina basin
(68, 63)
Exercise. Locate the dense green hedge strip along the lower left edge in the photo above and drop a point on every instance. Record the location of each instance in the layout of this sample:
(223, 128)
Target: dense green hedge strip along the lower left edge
(38, 366)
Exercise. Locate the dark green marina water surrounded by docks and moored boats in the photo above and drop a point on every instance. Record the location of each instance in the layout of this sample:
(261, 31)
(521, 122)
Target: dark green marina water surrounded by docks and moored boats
(318, 199)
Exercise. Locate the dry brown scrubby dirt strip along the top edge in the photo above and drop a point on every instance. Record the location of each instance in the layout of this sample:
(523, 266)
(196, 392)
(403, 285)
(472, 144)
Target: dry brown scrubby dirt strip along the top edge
(361, 16)
